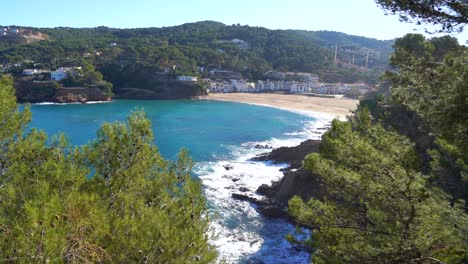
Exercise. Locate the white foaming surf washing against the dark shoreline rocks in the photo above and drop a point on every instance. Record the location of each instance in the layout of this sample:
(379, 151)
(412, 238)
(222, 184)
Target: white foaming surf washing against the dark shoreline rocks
(243, 235)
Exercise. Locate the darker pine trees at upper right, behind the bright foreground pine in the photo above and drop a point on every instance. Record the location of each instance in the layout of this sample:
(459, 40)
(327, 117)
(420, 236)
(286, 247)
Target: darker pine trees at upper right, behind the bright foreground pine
(431, 78)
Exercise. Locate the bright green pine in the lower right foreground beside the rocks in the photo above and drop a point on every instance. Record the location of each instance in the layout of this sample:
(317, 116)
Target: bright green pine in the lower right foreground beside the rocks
(378, 207)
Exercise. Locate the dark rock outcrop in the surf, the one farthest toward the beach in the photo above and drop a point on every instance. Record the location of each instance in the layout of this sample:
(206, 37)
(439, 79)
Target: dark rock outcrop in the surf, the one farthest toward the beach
(292, 155)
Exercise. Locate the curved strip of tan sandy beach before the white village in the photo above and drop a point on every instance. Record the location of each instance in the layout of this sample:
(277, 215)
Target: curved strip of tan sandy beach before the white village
(333, 107)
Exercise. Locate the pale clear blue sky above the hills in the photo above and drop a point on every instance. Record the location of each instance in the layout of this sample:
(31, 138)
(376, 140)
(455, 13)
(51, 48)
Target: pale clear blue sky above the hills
(357, 17)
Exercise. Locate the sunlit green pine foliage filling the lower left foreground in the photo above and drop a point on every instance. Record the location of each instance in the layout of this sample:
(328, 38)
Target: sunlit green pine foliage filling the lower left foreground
(115, 200)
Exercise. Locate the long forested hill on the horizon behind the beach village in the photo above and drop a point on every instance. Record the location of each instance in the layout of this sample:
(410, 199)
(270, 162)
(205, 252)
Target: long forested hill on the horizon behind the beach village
(208, 44)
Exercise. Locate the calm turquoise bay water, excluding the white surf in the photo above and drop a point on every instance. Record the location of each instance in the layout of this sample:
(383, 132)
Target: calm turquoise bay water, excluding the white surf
(204, 127)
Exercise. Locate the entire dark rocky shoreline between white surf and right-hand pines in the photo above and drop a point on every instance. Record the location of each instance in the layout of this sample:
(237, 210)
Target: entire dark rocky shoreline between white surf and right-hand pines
(296, 181)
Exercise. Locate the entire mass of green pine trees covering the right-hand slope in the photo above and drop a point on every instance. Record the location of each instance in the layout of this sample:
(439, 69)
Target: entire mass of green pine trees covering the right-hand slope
(395, 175)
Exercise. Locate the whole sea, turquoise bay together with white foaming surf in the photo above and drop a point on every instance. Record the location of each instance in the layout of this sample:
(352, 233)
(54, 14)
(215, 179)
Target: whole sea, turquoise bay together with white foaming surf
(217, 135)
